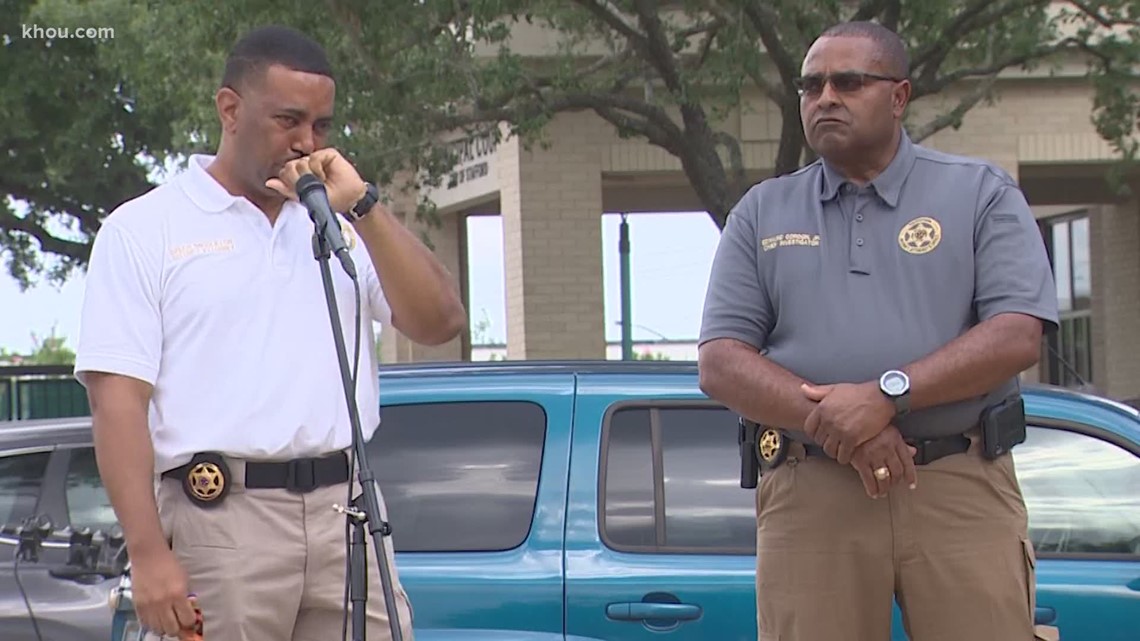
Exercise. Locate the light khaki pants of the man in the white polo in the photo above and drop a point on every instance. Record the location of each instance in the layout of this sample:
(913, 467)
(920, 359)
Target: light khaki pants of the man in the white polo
(268, 565)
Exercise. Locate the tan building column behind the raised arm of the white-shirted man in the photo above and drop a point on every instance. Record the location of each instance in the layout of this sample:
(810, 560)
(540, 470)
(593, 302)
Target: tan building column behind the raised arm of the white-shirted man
(449, 244)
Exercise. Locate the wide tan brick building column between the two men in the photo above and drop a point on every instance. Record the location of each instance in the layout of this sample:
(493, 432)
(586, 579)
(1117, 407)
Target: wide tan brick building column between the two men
(551, 201)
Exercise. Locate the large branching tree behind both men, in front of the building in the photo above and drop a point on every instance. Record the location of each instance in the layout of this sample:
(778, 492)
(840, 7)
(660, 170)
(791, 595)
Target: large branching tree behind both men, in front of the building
(665, 72)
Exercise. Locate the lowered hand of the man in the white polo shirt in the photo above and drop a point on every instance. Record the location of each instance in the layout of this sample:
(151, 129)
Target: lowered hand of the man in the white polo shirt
(159, 590)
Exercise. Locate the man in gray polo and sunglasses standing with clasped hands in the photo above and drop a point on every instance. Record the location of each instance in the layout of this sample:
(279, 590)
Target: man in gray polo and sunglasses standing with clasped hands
(870, 310)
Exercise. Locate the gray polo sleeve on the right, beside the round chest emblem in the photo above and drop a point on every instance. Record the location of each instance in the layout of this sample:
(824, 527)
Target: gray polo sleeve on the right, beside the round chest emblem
(1012, 269)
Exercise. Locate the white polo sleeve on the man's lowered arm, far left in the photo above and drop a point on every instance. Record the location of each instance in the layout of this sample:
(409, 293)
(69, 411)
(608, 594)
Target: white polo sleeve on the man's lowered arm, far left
(120, 320)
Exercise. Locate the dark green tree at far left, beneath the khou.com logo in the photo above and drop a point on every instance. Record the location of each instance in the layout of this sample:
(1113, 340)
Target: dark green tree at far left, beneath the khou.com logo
(76, 143)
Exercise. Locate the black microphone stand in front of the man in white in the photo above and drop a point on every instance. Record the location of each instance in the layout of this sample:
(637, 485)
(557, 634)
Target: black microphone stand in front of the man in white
(365, 509)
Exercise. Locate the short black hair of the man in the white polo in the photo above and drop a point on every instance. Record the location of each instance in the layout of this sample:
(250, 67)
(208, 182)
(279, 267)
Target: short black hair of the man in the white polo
(274, 45)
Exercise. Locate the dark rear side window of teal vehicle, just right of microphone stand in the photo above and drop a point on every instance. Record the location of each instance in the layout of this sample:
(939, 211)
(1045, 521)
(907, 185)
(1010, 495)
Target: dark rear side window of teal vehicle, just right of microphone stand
(459, 477)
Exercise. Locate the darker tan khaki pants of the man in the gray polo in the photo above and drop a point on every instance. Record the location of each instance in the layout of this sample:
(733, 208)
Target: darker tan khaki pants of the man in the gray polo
(955, 551)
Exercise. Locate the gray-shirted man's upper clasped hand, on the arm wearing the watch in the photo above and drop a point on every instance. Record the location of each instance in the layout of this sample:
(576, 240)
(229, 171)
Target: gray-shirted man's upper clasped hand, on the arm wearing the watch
(848, 417)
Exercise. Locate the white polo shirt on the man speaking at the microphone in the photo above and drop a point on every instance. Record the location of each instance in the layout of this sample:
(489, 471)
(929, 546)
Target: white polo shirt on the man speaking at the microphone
(192, 290)
